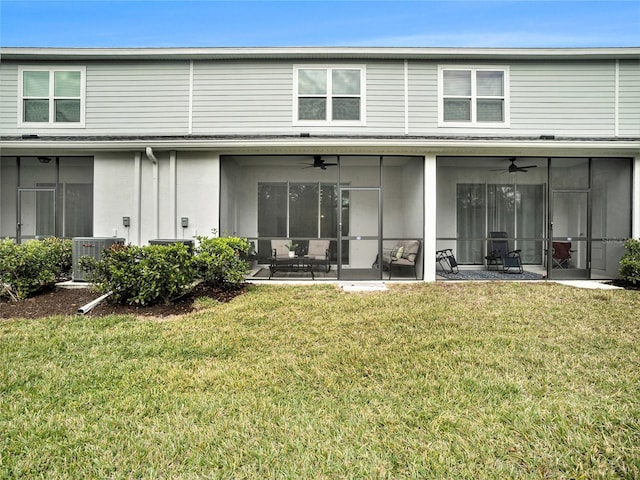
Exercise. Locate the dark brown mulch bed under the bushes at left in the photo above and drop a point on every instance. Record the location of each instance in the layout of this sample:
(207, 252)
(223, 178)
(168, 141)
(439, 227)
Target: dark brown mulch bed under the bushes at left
(67, 301)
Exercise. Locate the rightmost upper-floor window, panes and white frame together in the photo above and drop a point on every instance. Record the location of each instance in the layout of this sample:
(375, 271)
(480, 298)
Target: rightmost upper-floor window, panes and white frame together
(474, 96)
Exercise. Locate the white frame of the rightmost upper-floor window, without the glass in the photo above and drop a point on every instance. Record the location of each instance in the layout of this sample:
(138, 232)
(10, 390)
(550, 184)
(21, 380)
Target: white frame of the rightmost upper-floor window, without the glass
(506, 123)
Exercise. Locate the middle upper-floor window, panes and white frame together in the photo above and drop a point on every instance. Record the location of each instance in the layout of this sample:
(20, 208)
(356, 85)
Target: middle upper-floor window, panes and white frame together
(327, 95)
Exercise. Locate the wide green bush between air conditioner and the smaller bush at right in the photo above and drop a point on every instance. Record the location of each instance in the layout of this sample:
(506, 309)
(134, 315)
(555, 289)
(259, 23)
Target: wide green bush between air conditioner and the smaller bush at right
(142, 275)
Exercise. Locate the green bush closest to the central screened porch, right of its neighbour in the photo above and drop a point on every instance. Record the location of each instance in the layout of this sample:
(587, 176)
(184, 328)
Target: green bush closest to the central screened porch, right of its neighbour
(221, 261)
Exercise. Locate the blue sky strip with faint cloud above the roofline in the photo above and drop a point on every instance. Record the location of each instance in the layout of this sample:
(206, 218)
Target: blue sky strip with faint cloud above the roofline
(241, 23)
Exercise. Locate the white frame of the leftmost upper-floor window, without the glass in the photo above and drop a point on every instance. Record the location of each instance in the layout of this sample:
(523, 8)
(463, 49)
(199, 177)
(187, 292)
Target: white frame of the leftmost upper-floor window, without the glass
(51, 123)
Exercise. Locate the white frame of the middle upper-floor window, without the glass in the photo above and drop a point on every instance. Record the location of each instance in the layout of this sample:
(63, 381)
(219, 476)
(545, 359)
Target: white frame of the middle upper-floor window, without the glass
(329, 96)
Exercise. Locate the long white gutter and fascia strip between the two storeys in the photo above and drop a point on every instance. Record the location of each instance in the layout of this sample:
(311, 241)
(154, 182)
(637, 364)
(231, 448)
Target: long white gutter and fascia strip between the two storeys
(247, 144)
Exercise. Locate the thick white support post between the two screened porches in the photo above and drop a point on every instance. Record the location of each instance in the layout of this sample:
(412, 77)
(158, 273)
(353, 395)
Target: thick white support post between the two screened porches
(430, 209)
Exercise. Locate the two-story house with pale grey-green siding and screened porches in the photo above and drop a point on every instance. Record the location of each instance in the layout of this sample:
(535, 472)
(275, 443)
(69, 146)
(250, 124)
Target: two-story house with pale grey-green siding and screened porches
(360, 146)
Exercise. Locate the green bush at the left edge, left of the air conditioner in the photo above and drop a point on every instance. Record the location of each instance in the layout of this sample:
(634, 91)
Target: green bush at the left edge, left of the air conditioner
(29, 267)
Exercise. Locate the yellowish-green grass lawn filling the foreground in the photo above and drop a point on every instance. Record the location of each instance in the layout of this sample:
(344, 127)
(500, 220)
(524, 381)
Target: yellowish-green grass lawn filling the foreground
(477, 380)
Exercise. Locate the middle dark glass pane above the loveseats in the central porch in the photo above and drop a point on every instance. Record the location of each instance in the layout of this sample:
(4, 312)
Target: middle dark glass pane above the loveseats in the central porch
(303, 210)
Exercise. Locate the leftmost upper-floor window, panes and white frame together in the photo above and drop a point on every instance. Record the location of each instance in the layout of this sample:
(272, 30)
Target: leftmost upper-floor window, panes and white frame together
(51, 97)
